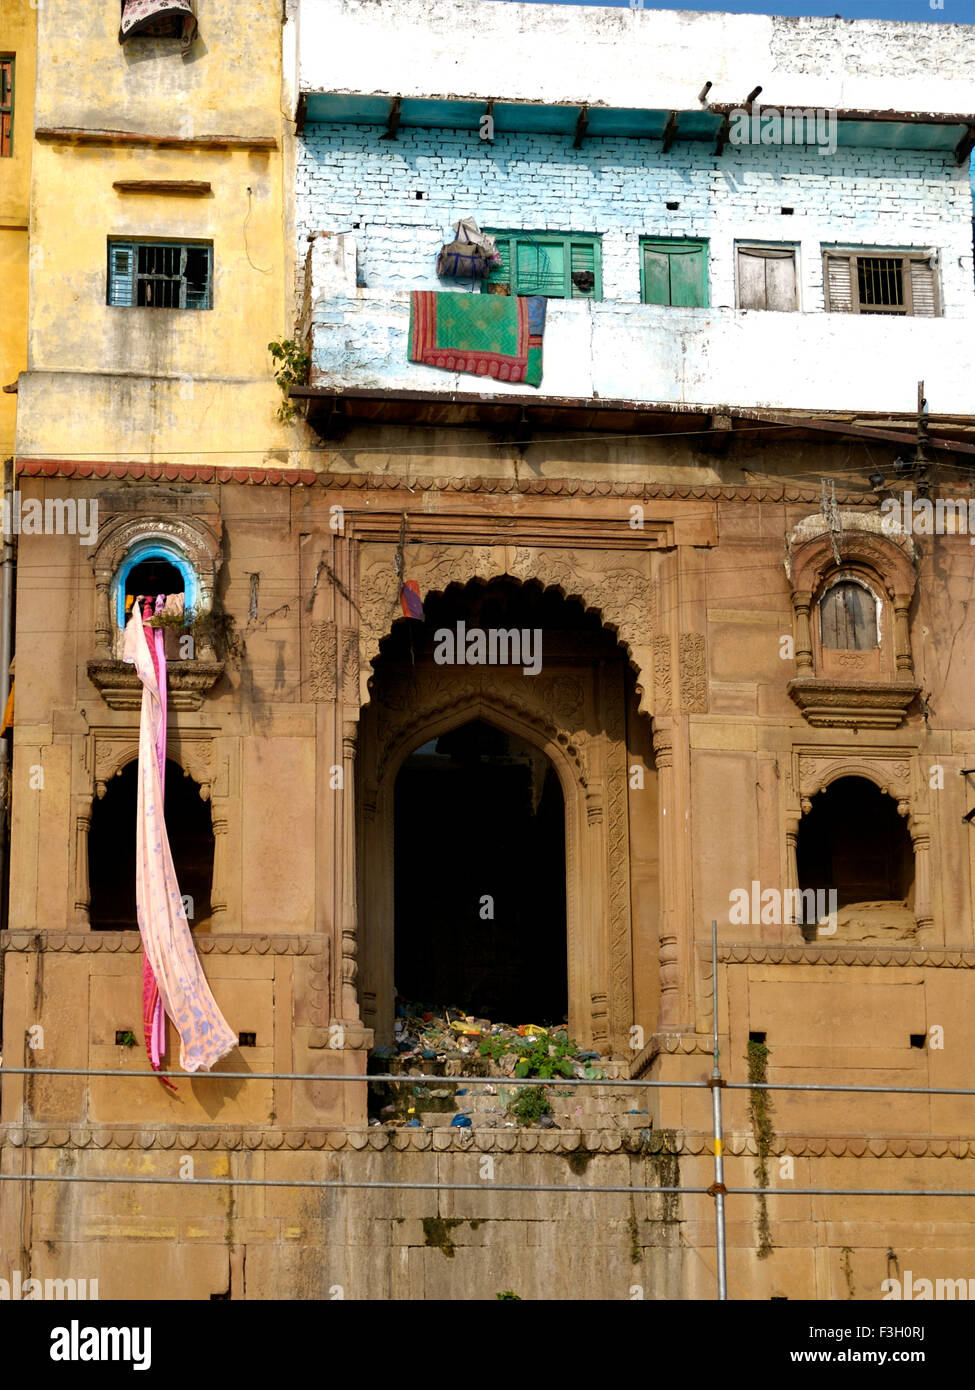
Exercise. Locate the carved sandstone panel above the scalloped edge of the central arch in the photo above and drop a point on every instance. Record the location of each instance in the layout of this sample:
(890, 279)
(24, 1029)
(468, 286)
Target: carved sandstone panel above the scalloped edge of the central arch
(617, 587)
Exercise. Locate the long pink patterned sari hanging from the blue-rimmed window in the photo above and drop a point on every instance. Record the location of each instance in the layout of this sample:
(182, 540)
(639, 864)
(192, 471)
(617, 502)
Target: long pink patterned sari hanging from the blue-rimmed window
(173, 976)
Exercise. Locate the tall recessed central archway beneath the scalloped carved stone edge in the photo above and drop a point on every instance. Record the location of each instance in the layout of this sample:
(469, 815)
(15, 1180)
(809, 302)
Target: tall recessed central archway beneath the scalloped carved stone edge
(575, 714)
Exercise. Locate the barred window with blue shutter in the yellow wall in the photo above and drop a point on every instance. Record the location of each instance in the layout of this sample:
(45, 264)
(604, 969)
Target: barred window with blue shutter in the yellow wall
(161, 276)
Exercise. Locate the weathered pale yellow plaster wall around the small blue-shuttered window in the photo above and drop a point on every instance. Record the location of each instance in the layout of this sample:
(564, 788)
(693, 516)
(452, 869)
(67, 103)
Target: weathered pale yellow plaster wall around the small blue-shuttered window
(169, 386)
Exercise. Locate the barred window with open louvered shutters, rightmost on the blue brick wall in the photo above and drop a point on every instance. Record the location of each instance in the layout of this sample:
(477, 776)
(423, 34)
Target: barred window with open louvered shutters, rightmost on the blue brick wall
(880, 283)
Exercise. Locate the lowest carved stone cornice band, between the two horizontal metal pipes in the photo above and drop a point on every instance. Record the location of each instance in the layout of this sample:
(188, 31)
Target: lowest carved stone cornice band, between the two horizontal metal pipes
(479, 1140)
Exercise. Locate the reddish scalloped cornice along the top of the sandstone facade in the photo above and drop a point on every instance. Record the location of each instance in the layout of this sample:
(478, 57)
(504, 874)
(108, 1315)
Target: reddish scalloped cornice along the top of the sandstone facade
(394, 482)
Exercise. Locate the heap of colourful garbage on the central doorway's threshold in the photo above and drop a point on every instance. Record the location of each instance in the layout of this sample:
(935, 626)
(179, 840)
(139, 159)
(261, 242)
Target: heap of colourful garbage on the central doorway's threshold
(426, 1033)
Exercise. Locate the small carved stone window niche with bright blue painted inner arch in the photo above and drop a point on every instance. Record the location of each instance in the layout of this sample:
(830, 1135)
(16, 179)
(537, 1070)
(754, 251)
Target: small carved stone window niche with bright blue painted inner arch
(152, 558)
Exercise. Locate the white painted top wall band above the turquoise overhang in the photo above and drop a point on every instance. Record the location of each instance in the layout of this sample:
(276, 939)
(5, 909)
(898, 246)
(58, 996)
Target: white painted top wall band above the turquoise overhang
(622, 58)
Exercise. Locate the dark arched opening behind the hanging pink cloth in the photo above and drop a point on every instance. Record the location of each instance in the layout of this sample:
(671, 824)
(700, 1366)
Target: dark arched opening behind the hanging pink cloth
(112, 849)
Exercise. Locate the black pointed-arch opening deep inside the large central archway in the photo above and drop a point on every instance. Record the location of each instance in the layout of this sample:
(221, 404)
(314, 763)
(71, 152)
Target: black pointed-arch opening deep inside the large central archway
(481, 878)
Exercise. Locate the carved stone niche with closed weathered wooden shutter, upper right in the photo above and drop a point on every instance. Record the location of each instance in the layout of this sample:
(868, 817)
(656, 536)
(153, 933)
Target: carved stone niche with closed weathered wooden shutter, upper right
(852, 591)
